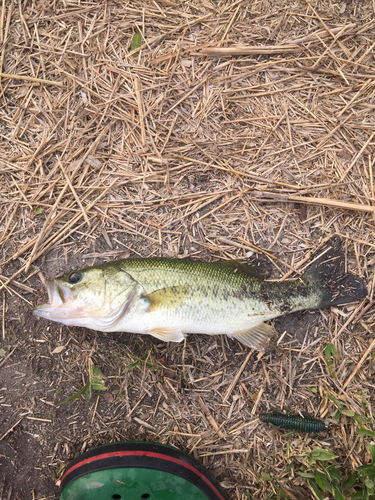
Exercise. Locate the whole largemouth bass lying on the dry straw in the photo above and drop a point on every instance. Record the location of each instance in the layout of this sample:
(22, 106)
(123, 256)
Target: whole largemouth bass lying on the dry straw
(168, 298)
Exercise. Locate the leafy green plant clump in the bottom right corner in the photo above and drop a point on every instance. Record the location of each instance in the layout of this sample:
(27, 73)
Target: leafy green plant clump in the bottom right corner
(323, 477)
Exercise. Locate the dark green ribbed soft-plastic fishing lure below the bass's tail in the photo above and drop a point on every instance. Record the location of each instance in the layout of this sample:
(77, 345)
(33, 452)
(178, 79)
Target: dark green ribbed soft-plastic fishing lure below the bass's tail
(295, 422)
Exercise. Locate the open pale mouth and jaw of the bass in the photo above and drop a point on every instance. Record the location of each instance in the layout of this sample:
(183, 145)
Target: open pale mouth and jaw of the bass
(60, 305)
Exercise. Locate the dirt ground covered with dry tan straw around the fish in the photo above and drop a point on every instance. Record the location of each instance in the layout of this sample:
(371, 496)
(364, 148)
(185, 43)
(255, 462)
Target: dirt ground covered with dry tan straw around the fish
(262, 152)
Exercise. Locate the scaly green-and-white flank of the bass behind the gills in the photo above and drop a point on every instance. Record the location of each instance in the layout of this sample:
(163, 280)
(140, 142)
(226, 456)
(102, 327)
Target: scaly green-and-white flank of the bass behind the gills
(211, 294)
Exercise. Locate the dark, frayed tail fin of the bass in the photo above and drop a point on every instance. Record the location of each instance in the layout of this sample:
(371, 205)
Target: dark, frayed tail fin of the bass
(328, 277)
